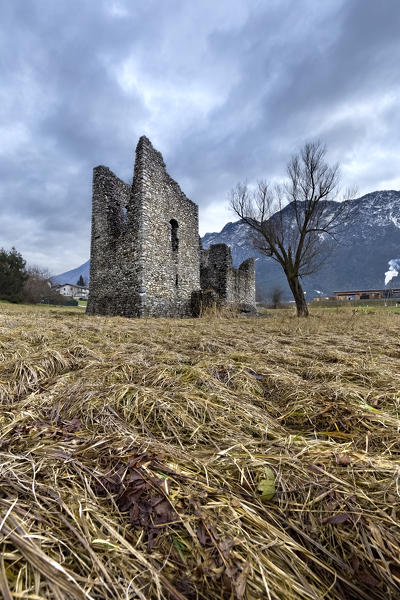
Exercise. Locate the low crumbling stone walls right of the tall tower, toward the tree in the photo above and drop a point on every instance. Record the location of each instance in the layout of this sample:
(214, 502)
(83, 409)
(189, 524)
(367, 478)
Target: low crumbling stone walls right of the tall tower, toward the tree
(234, 287)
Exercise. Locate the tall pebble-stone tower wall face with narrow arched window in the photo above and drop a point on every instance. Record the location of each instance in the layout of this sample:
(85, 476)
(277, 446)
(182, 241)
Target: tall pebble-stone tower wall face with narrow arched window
(170, 254)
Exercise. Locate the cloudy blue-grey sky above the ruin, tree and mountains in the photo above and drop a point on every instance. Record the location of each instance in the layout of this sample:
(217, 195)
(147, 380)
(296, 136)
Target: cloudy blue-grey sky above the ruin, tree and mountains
(225, 89)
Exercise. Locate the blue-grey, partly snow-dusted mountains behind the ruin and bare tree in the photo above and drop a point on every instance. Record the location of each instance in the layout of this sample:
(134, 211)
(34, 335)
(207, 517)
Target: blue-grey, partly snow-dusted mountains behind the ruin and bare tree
(366, 244)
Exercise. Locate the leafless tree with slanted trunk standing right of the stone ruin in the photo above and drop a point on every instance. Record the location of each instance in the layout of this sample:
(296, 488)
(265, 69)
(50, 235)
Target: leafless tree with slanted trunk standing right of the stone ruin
(293, 223)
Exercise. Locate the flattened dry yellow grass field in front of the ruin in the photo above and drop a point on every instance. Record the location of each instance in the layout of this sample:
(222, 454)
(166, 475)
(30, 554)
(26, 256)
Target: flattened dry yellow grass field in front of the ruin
(133, 454)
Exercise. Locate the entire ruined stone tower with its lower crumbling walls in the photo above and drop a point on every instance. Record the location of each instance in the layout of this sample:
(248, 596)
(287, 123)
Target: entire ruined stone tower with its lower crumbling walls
(145, 255)
